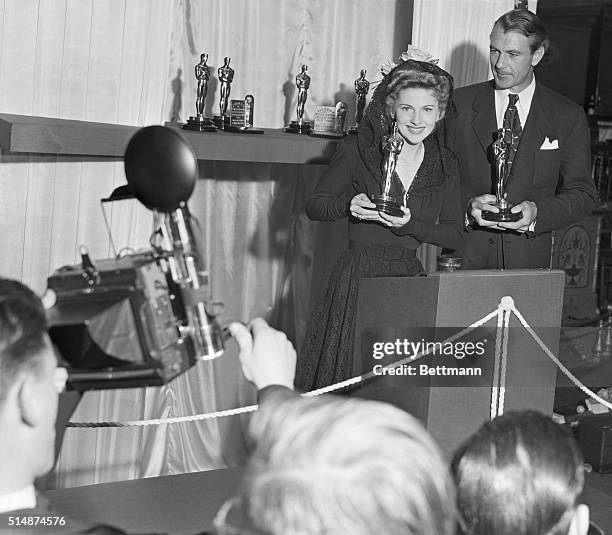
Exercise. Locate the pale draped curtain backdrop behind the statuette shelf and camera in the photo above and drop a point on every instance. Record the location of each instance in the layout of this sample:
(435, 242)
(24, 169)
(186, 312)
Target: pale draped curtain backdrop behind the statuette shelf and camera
(131, 62)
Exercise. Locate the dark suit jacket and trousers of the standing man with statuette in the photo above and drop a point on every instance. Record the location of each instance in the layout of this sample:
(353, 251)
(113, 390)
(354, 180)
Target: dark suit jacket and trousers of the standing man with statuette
(558, 180)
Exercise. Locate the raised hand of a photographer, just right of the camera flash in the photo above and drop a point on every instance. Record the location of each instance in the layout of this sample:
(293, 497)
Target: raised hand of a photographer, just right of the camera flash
(266, 356)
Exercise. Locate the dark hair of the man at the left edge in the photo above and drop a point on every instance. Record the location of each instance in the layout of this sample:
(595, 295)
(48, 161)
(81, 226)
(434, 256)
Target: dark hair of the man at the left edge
(23, 330)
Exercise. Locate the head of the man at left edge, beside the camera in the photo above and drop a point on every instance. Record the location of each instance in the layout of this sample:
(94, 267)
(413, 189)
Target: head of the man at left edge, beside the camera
(29, 384)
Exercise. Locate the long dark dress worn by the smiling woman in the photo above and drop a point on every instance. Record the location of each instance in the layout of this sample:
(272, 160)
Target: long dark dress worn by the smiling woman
(374, 251)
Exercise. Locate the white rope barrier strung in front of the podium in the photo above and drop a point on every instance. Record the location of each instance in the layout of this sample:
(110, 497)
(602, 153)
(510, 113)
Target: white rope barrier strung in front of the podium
(503, 312)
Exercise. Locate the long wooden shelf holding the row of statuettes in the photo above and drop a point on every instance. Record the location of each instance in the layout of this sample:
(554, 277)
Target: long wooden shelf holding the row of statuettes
(45, 135)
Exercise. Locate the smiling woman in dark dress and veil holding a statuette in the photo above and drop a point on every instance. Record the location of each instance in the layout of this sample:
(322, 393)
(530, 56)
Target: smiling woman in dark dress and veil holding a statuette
(416, 97)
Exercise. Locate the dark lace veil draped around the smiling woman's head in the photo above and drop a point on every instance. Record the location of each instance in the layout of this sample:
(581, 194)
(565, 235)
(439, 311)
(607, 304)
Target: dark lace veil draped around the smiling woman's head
(376, 124)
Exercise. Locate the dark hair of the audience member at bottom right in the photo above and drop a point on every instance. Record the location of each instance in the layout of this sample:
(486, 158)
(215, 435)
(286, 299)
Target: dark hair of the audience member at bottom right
(519, 474)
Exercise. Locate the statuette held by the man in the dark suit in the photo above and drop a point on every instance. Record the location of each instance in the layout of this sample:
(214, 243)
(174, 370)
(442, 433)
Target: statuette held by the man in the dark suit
(504, 148)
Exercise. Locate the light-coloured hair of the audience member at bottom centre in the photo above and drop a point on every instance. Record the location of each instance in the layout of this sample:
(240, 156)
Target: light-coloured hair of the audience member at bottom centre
(335, 466)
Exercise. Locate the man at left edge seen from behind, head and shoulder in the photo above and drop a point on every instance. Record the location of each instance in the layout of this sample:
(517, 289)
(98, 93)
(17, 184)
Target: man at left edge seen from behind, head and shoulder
(30, 381)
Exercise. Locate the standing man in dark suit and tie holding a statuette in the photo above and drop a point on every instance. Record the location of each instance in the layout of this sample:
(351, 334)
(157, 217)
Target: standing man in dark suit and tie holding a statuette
(550, 179)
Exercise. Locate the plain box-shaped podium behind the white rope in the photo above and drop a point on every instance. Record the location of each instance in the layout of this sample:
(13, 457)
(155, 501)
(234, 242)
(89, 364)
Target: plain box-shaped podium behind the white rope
(441, 305)
